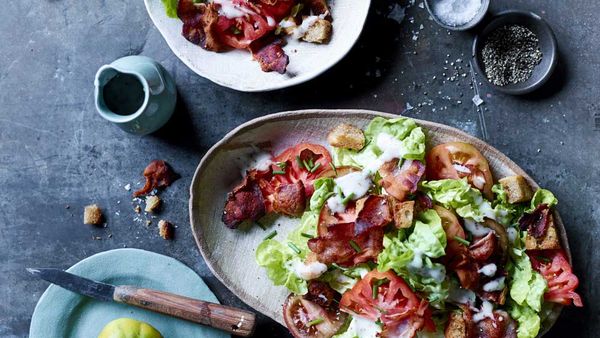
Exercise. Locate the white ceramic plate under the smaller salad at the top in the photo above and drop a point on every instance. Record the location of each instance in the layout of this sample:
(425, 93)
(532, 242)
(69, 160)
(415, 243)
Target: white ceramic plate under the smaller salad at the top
(236, 69)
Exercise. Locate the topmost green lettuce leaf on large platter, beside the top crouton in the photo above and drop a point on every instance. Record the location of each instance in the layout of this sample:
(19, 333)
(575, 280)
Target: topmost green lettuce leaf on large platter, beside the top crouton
(404, 129)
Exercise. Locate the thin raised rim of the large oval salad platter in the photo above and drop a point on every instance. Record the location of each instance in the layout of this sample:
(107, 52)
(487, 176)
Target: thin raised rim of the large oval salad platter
(430, 126)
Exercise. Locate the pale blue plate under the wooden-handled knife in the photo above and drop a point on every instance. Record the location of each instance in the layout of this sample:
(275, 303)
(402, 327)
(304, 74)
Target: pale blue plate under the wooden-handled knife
(61, 313)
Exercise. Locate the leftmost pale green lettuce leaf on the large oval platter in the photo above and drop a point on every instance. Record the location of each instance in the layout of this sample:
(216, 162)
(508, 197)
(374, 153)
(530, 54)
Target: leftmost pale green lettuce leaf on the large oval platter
(275, 258)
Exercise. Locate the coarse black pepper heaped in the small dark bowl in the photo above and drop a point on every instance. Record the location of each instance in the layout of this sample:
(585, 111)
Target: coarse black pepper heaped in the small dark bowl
(510, 54)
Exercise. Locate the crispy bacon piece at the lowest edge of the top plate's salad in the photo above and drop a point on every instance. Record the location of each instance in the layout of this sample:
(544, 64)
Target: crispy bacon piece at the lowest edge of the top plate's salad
(270, 55)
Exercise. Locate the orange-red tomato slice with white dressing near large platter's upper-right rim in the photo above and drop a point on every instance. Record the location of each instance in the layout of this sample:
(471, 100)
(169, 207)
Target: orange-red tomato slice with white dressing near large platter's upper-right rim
(456, 160)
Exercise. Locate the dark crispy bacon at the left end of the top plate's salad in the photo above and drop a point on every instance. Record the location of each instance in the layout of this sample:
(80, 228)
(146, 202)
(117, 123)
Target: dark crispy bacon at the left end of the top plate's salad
(200, 24)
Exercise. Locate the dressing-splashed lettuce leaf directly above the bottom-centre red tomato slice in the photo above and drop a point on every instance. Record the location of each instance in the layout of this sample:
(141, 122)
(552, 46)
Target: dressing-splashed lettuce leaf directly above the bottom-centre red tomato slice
(412, 257)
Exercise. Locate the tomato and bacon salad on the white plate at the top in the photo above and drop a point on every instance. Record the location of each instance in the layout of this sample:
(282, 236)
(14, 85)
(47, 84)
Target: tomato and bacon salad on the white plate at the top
(259, 26)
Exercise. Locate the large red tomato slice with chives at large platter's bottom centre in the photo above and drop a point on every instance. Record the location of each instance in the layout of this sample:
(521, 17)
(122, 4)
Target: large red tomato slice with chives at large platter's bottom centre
(394, 304)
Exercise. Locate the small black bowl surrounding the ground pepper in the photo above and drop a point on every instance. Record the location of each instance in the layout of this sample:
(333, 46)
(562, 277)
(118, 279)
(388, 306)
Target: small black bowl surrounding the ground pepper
(541, 72)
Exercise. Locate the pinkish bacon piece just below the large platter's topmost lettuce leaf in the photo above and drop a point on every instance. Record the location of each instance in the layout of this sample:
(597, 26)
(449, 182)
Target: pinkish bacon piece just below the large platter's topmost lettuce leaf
(401, 181)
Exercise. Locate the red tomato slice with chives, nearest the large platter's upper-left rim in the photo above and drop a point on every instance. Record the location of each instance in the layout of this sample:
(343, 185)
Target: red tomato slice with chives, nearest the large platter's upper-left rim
(303, 162)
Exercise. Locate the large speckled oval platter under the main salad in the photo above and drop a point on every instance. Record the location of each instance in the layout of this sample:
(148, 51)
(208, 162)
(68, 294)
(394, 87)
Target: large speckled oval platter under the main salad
(230, 253)
